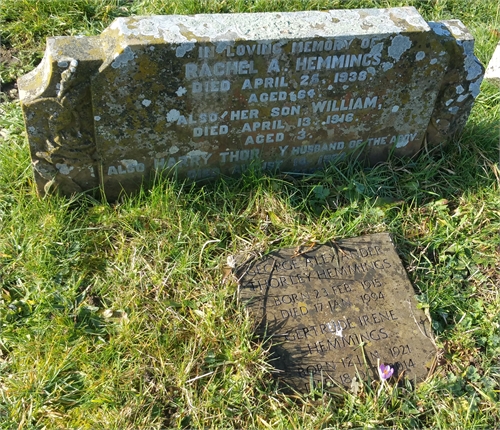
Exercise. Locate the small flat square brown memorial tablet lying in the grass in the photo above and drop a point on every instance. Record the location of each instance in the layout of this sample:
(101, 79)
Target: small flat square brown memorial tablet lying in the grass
(337, 311)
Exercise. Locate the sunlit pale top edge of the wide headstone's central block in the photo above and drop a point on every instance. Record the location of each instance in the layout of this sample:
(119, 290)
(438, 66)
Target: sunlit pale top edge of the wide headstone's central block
(270, 25)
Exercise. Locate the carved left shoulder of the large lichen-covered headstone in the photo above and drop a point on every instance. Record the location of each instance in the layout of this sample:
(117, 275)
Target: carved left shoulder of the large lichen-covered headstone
(56, 102)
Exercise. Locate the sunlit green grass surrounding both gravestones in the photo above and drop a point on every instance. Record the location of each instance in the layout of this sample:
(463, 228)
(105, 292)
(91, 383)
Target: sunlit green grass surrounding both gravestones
(120, 316)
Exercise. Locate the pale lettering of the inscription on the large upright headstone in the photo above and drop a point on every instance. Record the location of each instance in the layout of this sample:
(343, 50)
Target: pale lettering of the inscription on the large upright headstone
(306, 102)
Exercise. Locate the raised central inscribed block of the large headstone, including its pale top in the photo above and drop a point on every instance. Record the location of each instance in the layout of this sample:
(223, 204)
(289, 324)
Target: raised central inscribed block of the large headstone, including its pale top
(202, 96)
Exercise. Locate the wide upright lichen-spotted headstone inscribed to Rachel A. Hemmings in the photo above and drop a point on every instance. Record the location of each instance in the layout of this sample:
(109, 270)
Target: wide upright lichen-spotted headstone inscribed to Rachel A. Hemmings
(207, 95)
